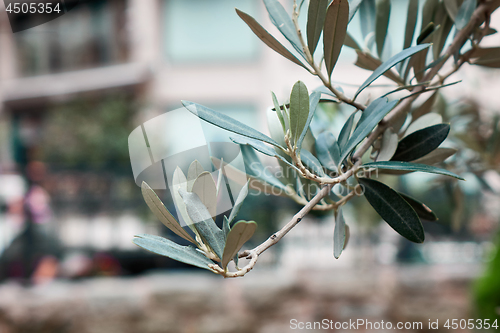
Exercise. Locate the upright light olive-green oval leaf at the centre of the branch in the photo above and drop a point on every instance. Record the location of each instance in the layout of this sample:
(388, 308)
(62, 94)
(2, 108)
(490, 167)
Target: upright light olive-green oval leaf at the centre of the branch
(299, 110)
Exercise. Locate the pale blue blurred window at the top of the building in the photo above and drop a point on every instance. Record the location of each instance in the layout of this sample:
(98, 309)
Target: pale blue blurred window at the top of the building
(208, 31)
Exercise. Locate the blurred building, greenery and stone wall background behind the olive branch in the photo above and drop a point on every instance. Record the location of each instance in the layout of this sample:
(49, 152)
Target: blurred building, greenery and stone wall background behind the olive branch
(73, 89)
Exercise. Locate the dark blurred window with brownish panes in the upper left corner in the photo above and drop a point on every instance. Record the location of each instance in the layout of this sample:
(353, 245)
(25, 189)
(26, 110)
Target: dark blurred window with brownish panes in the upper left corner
(86, 37)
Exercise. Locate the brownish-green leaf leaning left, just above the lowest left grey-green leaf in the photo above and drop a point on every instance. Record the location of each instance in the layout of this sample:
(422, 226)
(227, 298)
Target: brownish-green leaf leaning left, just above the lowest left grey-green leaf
(161, 212)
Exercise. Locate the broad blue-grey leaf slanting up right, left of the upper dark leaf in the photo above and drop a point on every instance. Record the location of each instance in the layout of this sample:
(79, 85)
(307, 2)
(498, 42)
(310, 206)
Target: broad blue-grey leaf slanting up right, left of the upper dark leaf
(378, 111)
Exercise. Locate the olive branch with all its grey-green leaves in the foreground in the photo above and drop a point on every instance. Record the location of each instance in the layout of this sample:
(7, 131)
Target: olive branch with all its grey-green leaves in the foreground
(390, 135)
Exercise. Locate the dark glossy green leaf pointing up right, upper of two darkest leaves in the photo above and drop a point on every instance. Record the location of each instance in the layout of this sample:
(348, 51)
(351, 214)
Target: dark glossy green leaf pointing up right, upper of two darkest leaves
(421, 143)
